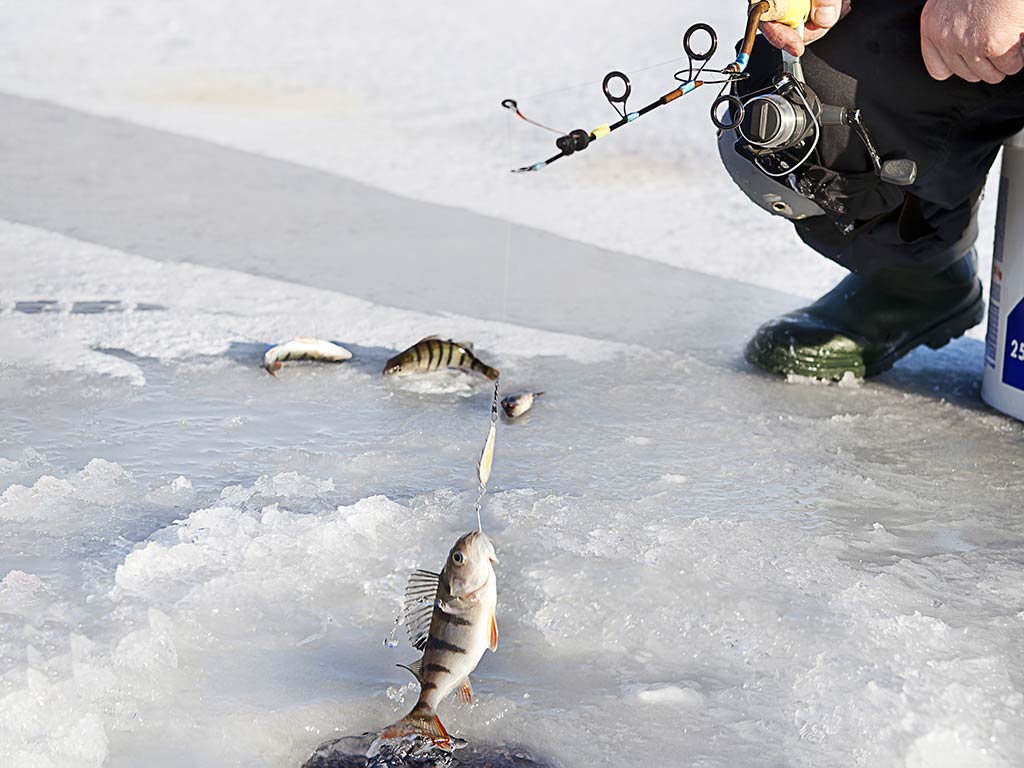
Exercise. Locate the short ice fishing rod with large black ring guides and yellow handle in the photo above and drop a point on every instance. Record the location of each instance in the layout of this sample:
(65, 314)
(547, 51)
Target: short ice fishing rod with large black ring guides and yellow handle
(617, 87)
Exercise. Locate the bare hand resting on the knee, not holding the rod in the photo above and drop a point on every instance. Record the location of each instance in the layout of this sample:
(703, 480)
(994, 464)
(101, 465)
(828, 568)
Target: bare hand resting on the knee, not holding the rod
(977, 40)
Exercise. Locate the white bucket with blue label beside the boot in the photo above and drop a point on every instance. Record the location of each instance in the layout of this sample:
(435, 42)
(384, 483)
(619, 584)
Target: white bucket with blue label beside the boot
(1003, 385)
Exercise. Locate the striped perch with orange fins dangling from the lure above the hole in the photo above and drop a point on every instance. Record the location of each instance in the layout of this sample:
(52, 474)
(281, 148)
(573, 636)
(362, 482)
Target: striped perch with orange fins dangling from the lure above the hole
(451, 618)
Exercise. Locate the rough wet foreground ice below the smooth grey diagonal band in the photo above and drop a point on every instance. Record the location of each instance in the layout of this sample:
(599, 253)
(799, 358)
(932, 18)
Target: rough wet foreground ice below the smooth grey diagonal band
(695, 562)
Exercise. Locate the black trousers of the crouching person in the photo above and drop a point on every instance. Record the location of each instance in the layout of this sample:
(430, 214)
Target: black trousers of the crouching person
(953, 130)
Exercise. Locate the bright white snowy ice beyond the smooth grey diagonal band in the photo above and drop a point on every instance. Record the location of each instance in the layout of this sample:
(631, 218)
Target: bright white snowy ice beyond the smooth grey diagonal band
(318, 89)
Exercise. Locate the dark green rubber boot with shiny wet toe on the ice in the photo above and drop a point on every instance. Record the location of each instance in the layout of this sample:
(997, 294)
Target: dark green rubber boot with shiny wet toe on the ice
(866, 324)
